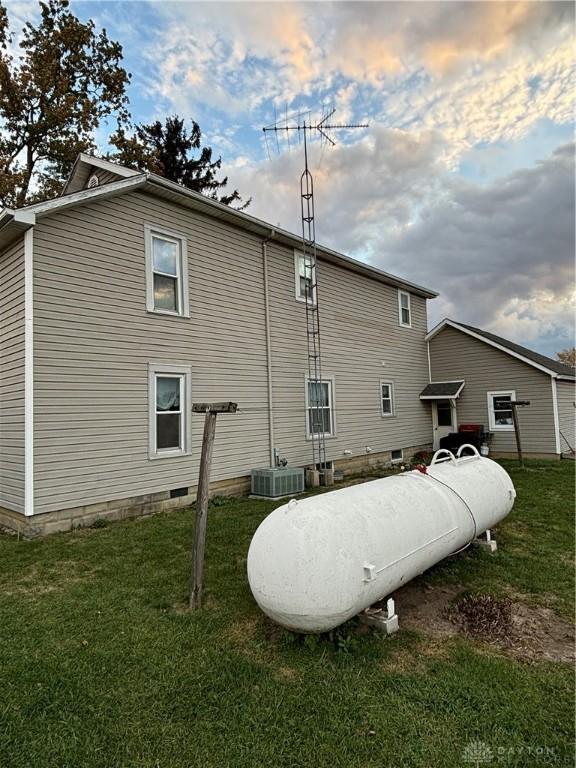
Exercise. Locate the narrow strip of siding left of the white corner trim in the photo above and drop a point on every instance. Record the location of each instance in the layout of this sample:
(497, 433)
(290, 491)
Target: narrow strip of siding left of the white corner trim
(12, 377)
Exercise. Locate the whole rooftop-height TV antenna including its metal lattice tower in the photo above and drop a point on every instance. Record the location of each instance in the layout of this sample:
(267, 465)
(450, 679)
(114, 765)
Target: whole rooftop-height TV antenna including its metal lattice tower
(318, 397)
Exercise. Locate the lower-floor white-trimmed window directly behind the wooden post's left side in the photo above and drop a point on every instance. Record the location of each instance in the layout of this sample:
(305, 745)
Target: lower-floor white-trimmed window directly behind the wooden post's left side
(170, 405)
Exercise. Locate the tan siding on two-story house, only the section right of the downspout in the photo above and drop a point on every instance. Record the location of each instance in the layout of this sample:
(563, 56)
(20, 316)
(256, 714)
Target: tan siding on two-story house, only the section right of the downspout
(362, 344)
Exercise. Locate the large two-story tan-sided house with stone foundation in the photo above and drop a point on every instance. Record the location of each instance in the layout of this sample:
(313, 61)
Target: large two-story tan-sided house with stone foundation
(129, 297)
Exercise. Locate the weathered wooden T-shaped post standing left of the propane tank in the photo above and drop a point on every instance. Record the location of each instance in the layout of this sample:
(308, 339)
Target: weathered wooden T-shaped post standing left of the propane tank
(211, 410)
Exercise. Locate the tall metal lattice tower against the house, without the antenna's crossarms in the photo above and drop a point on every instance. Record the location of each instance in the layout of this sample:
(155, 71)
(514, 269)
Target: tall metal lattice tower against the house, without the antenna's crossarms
(315, 399)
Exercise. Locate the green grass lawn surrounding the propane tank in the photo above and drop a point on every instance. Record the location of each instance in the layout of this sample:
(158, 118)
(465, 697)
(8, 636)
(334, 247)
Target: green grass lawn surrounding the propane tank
(100, 666)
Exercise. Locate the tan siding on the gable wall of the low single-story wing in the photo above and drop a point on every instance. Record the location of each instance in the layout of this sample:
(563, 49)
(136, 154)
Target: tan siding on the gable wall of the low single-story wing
(455, 355)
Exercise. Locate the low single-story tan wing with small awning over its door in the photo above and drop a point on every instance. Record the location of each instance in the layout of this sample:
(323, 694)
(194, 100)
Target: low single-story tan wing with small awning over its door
(476, 374)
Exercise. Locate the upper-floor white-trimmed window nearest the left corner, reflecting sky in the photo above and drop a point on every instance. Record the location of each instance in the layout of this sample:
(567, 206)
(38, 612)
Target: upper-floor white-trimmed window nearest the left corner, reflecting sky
(167, 273)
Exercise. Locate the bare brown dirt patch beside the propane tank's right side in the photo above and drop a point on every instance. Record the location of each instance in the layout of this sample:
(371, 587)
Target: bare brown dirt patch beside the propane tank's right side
(534, 633)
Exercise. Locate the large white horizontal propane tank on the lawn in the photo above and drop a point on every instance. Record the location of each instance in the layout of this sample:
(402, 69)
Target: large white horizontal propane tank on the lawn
(316, 562)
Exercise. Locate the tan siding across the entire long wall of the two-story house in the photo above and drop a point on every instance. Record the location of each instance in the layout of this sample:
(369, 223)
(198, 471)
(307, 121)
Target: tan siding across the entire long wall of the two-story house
(94, 340)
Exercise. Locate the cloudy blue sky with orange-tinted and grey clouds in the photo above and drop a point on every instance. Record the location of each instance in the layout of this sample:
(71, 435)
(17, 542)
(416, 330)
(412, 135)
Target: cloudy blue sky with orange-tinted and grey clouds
(463, 181)
